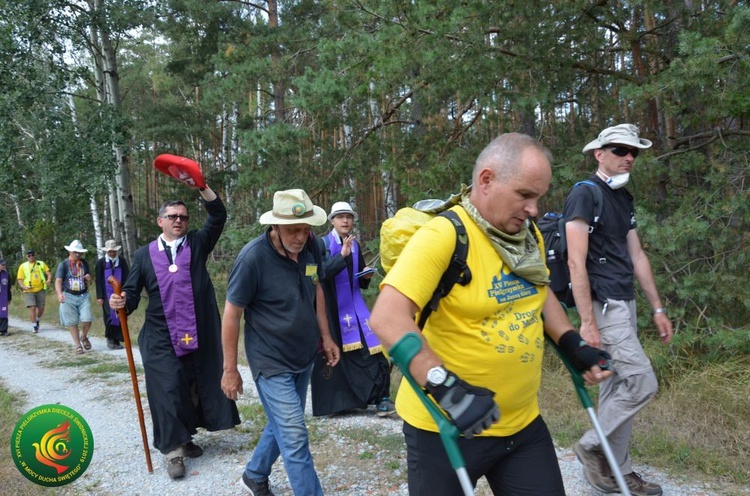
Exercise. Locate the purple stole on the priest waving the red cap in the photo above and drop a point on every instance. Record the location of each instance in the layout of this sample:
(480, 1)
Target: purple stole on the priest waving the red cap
(176, 291)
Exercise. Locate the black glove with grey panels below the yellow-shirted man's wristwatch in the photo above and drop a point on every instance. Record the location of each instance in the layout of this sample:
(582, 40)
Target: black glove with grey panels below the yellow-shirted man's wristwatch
(471, 409)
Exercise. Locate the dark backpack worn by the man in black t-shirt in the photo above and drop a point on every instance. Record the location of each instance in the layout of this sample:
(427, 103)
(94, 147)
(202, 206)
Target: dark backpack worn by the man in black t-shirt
(552, 226)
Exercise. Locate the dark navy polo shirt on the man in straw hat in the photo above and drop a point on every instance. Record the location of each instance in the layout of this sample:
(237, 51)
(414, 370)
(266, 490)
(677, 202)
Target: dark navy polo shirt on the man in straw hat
(278, 294)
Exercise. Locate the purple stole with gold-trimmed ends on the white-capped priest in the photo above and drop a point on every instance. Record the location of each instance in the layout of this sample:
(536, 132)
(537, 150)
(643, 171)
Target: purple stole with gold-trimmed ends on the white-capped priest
(353, 312)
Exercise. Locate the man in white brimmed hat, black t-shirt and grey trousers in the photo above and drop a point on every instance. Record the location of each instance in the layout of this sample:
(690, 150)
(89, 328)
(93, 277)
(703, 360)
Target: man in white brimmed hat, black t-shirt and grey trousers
(603, 262)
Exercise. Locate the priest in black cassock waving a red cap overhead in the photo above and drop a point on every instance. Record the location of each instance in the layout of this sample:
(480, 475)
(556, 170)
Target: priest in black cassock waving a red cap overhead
(180, 342)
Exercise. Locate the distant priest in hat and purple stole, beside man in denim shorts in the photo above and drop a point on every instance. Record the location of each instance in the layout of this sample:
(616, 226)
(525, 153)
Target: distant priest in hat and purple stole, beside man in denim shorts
(111, 264)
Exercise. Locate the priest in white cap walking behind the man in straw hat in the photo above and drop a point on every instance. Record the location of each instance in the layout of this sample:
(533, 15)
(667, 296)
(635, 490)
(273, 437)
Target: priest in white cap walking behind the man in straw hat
(362, 377)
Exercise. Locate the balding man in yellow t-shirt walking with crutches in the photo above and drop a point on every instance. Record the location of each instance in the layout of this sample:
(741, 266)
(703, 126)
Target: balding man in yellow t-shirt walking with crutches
(482, 348)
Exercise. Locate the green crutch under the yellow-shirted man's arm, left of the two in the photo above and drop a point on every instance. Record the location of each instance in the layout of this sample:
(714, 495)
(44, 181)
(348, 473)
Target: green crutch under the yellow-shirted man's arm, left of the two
(402, 354)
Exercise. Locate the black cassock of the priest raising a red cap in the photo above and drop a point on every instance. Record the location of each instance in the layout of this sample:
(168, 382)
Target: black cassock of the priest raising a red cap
(183, 393)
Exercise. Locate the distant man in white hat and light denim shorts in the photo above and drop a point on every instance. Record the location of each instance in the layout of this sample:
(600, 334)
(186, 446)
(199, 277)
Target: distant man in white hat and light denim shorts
(72, 279)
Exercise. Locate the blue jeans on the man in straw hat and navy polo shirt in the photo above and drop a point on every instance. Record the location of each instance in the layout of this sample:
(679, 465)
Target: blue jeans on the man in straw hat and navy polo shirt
(283, 397)
